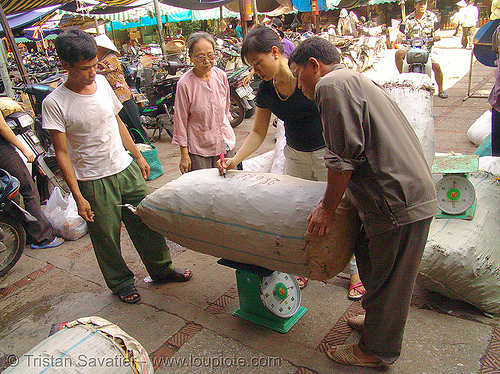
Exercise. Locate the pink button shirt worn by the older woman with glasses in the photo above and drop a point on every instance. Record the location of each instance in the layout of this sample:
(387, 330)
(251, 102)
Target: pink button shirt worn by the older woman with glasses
(202, 118)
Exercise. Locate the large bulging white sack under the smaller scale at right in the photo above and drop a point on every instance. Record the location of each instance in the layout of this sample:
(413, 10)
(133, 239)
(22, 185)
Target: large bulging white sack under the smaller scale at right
(461, 259)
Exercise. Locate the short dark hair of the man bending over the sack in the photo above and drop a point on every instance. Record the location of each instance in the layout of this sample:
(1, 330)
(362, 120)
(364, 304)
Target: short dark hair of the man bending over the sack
(319, 48)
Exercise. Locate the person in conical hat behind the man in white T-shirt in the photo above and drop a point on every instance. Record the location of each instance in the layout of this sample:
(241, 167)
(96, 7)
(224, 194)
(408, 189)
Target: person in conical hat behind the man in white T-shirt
(111, 68)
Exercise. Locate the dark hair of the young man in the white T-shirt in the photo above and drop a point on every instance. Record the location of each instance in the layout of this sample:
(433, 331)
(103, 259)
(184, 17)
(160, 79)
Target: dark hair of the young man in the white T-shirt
(74, 46)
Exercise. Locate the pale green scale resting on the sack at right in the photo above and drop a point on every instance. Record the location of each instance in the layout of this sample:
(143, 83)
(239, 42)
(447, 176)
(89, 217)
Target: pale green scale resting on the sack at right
(456, 196)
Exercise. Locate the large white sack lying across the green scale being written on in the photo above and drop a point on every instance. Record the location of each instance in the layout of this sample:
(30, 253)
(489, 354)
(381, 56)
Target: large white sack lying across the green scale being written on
(253, 218)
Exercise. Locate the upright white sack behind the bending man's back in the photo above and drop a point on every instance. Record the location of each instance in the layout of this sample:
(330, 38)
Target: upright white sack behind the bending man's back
(413, 93)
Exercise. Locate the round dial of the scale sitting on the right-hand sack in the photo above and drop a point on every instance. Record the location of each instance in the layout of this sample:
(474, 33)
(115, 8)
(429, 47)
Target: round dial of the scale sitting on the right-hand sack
(455, 194)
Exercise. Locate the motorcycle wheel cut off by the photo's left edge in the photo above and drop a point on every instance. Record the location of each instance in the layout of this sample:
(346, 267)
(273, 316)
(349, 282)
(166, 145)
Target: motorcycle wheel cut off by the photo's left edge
(12, 242)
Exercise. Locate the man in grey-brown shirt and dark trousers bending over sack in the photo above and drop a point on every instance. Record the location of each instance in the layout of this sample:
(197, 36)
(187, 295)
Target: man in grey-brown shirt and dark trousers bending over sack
(375, 158)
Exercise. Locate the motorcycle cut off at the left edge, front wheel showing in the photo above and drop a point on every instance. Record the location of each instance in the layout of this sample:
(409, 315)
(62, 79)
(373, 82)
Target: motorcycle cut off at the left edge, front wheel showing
(12, 216)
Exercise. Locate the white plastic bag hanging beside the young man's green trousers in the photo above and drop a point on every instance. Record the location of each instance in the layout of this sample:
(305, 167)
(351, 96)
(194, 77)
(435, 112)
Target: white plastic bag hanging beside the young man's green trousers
(62, 214)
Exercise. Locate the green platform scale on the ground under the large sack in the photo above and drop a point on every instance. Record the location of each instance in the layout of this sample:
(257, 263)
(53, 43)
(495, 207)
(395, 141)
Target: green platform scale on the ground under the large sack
(268, 298)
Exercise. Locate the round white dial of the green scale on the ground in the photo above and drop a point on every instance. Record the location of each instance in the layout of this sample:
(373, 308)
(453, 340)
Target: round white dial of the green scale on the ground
(280, 293)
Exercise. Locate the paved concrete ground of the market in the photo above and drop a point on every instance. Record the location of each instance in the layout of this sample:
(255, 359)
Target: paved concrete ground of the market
(189, 327)
